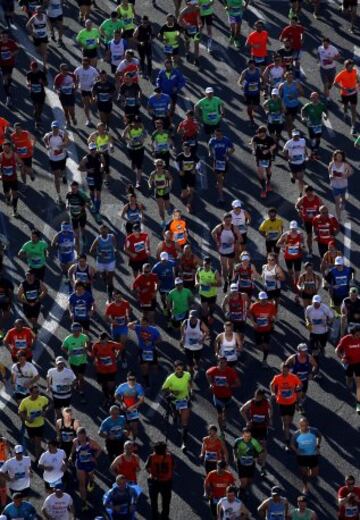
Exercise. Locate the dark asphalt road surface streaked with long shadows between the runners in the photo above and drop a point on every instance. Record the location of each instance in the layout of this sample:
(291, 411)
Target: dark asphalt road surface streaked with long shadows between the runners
(330, 406)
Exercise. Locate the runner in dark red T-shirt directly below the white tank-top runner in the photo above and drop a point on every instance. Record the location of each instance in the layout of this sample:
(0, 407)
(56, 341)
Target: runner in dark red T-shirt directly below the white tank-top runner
(222, 379)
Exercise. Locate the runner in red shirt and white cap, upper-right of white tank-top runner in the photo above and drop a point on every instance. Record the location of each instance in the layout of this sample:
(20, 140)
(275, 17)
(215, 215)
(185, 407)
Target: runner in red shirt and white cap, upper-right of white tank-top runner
(263, 314)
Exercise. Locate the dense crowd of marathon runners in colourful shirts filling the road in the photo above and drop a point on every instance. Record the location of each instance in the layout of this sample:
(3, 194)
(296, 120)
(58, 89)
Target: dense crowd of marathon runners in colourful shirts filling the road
(173, 282)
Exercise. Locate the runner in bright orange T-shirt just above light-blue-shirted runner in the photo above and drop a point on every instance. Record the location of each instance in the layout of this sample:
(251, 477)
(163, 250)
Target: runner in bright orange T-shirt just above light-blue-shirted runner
(285, 387)
